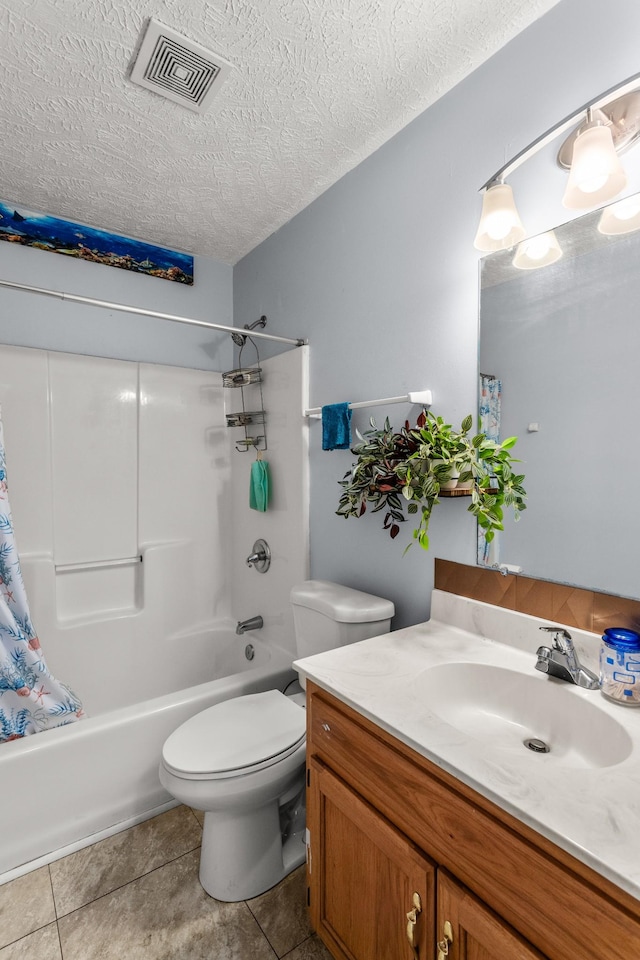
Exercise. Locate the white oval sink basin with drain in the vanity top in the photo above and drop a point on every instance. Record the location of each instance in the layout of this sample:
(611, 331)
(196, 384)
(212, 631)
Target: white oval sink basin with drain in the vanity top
(502, 708)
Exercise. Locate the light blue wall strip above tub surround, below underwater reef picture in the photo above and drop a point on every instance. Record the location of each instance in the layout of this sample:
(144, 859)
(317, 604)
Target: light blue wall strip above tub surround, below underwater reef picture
(29, 320)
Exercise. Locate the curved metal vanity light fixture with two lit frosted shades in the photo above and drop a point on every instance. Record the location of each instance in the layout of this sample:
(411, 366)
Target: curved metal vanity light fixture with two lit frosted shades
(605, 128)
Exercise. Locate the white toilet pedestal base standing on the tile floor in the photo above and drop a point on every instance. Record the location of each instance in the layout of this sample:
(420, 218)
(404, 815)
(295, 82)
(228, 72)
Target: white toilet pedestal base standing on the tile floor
(243, 856)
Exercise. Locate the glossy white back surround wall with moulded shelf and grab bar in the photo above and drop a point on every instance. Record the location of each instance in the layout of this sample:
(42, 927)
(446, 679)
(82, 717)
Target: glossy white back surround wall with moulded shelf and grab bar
(111, 460)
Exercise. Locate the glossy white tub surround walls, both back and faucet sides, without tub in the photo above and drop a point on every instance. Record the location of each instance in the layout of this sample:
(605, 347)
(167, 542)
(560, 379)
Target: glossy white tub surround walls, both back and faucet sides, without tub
(136, 459)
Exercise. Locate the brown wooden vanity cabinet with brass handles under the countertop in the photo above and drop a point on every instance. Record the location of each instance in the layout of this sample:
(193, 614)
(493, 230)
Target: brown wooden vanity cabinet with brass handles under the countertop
(385, 824)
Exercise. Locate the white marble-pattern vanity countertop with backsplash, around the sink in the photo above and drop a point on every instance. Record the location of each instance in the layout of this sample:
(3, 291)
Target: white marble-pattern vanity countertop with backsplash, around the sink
(591, 811)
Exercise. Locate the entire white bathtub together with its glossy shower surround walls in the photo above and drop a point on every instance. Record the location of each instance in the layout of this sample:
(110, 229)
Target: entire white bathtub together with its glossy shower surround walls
(136, 576)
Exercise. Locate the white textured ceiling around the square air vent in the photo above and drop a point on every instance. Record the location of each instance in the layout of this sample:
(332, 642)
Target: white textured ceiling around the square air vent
(318, 85)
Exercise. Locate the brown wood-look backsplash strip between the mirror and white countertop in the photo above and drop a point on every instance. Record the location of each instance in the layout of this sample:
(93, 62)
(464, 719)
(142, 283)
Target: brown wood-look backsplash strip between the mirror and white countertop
(573, 606)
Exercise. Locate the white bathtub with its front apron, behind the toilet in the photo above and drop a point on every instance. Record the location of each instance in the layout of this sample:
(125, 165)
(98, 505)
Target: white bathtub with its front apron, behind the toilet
(65, 786)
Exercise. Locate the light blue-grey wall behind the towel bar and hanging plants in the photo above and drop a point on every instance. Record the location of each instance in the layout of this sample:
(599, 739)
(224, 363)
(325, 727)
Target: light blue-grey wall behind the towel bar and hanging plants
(380, 272)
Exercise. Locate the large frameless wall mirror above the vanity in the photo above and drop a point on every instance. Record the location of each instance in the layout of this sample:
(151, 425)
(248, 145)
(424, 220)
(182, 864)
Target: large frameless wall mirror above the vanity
(565, 342)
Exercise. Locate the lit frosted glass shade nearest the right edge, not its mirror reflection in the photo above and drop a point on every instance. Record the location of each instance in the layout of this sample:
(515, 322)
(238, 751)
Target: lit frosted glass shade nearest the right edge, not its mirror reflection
(596, 173)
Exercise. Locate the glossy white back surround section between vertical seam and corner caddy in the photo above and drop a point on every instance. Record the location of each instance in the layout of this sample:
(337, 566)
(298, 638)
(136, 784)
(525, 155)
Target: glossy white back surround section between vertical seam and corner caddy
(185, 479)
